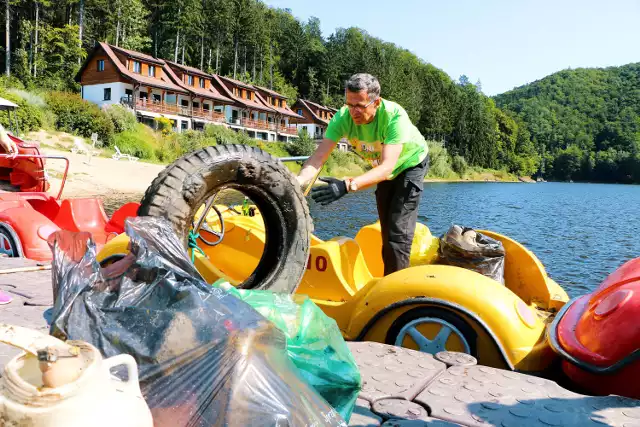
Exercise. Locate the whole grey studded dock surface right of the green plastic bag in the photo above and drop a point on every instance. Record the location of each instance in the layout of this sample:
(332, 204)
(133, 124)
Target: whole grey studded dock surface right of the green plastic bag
(405, 388)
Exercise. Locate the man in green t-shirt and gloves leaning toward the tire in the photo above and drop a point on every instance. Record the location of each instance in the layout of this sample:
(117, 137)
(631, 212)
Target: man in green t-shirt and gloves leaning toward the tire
(382, 133)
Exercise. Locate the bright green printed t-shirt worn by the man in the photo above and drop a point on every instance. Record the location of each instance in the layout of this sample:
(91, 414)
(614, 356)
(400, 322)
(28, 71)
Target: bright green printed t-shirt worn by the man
(391, 125)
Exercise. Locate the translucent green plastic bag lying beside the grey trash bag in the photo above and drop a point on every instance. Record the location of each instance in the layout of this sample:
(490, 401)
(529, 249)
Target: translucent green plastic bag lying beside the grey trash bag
(314, 344)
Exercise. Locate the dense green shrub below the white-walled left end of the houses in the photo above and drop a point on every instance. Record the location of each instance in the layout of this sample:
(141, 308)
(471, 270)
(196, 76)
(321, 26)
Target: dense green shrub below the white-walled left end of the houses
(74, 114)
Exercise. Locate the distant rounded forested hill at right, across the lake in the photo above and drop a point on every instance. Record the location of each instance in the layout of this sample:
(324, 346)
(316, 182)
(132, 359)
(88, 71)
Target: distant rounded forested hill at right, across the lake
(586, 121)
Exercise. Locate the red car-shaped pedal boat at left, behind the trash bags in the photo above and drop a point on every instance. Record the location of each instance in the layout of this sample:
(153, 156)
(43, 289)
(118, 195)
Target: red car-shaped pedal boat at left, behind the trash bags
(28, 218)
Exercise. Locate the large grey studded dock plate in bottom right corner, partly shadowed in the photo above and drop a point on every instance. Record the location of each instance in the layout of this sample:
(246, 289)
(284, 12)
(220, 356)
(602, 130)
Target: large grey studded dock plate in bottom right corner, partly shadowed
(483, 396)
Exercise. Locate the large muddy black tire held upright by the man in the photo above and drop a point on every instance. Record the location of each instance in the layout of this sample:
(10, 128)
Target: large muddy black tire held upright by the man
(183, 186)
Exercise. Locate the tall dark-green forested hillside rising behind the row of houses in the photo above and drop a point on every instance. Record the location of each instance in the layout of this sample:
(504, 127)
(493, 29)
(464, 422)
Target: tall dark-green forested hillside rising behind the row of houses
(252, 42)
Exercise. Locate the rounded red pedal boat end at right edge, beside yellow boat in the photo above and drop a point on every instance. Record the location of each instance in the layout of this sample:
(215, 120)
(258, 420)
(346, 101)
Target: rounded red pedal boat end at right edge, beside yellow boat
(598, 335)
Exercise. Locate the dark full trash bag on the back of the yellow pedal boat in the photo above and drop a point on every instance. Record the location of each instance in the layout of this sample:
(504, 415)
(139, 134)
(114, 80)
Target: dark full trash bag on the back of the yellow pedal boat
(466, 248)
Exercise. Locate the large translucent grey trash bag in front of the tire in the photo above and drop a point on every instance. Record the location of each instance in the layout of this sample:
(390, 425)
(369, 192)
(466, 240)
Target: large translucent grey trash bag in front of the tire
(205, 357)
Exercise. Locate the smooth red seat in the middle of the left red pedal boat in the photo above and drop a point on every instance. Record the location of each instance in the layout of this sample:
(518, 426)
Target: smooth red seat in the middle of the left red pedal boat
(82, 215)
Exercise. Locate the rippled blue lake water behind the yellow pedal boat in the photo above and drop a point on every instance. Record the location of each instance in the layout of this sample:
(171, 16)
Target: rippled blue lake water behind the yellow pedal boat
(580, 232)
